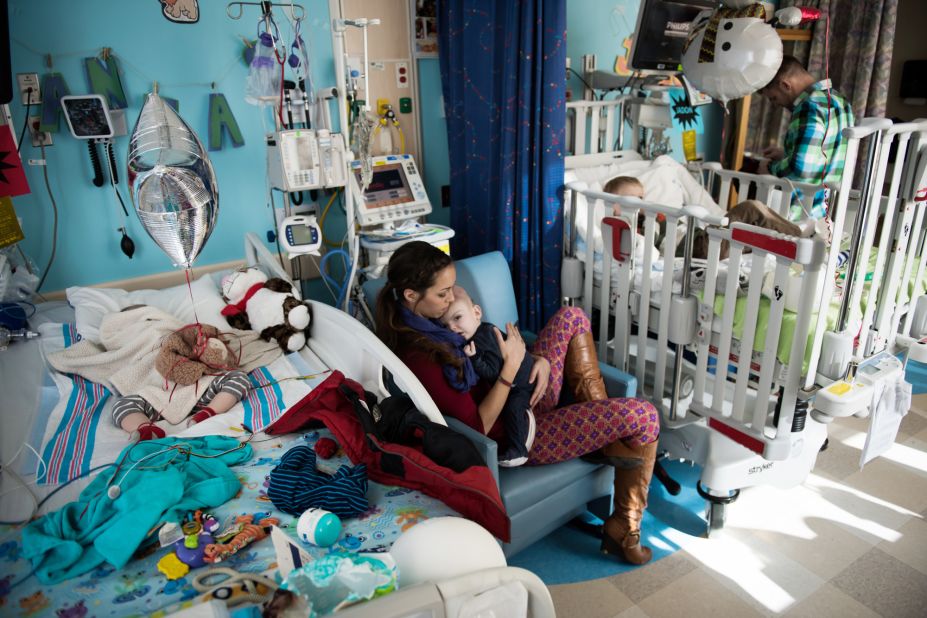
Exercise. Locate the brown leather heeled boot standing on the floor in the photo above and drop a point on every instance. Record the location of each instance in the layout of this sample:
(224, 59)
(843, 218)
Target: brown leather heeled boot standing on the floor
(621, 534)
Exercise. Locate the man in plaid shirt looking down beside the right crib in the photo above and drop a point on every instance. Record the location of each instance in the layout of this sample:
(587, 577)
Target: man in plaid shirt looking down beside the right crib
(814, 149)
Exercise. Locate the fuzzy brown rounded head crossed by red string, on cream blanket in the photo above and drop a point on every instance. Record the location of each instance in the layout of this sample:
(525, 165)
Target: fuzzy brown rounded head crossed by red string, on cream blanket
(193, 351)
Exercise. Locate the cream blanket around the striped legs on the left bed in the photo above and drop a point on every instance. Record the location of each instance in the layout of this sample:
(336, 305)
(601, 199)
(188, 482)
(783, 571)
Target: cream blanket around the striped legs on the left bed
(124, 359)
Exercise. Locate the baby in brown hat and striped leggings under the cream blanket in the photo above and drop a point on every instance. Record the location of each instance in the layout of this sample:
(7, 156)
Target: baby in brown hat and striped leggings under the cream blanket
(191, 354)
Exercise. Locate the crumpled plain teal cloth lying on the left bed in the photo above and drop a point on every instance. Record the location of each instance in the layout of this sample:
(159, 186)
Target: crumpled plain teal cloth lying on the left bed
(96, 529)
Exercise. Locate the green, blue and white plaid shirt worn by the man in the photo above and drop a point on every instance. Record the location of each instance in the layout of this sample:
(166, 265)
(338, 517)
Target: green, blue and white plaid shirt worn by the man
(811, 155)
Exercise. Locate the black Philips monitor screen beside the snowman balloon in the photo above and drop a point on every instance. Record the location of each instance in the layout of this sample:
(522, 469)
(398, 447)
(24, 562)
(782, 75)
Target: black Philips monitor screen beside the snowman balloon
(662, 29)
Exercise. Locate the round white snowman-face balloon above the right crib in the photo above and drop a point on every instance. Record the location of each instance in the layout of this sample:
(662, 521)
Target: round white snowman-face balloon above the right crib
(728, 57)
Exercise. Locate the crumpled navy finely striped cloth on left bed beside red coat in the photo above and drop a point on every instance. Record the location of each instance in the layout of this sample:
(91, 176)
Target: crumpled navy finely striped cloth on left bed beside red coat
(296, 485)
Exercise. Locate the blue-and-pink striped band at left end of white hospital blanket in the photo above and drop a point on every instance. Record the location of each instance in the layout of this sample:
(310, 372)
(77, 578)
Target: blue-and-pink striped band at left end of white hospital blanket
(69, 450)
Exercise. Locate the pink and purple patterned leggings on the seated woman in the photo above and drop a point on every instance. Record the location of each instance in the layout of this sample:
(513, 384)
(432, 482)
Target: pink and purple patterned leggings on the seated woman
(580, 428)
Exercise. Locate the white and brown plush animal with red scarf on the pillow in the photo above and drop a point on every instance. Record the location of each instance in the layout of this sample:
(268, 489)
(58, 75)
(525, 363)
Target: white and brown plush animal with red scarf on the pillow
(267, 306)
